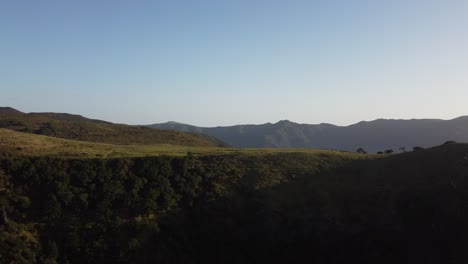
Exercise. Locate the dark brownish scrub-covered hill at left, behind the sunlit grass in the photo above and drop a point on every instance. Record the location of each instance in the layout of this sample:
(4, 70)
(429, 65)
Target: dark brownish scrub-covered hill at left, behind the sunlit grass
(76, 127)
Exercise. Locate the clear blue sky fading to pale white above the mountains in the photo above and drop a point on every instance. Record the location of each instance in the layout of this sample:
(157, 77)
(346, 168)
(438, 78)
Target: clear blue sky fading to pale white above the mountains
(215, 62)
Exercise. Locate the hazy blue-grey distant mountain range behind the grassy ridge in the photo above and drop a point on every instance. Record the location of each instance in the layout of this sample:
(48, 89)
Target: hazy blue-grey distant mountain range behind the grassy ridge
(373, 136)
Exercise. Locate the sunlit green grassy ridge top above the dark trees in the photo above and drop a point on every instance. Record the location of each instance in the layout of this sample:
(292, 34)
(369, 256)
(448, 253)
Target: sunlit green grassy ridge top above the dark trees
(13, 143)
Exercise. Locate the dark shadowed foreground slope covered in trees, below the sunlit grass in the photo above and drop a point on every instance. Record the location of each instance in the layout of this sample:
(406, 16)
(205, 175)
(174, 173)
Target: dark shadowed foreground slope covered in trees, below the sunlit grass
(237, 208)
